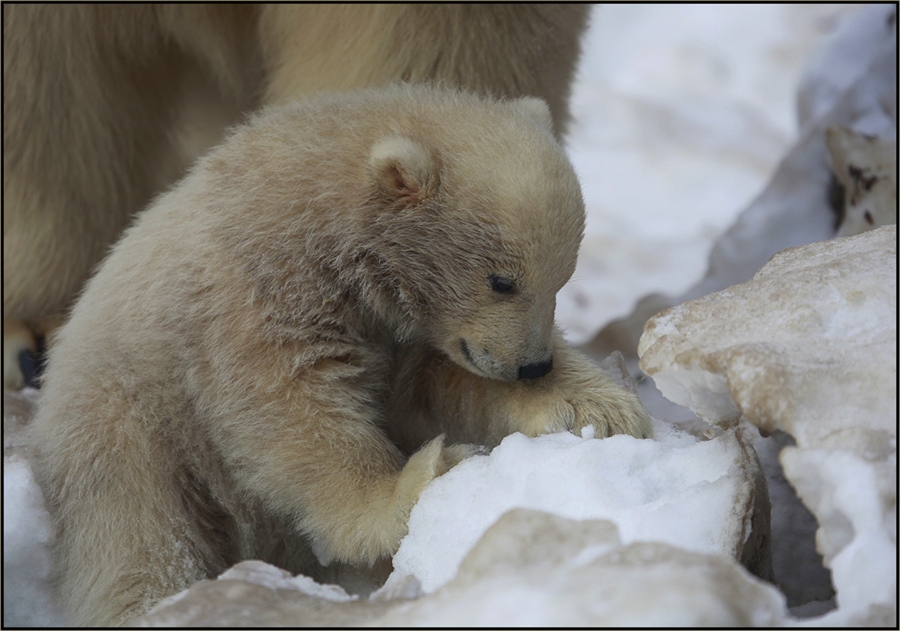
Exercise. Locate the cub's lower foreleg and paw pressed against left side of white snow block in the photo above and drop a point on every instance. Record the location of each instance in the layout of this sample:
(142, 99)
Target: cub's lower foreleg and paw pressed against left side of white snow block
(327, 464)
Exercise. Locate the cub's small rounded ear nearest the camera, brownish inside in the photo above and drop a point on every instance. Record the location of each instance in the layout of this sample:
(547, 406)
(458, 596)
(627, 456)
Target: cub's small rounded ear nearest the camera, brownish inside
(404, 169)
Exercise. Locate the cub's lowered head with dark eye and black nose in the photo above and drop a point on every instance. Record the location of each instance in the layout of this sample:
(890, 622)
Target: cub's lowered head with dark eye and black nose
(476, 218)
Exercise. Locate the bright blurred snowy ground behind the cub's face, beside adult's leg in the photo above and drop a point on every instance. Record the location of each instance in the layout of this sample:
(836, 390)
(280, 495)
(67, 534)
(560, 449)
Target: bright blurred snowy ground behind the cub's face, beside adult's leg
(681, 114)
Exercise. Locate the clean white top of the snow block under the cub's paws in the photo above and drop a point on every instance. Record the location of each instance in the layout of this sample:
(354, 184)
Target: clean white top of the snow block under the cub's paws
(674, 489)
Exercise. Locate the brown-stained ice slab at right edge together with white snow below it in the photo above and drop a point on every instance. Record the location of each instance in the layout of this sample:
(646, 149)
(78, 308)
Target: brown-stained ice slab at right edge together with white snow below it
(809, 347)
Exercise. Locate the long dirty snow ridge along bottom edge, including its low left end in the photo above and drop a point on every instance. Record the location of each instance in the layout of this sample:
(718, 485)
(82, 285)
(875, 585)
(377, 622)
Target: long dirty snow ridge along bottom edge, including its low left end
(529, 569)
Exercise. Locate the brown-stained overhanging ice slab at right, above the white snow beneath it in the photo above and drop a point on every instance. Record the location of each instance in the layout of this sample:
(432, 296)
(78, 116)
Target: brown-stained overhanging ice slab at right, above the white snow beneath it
(810, 342)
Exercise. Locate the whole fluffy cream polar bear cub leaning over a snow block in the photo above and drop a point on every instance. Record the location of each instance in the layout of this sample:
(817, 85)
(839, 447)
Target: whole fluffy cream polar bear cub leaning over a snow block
(283, 346)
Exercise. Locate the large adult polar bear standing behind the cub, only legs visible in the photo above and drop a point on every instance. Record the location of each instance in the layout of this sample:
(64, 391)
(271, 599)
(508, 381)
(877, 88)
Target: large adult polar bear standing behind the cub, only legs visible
(104, 106)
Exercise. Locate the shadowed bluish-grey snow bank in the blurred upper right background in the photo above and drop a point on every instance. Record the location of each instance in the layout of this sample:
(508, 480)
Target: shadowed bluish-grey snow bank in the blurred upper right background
(793, 208)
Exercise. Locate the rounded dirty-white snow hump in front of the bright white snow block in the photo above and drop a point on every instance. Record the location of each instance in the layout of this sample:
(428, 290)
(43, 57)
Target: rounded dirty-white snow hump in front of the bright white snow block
(537, 569)
